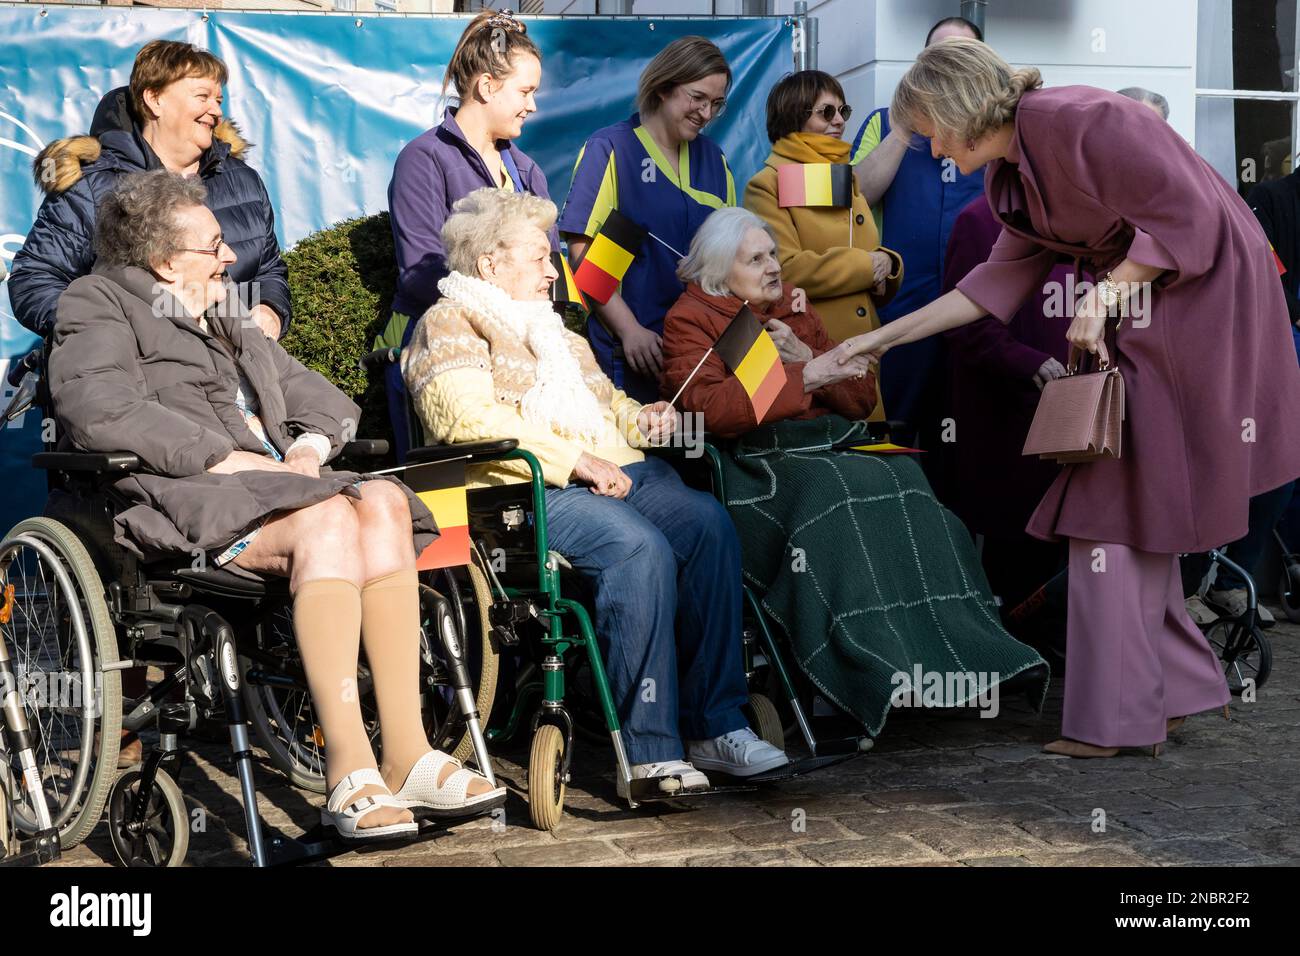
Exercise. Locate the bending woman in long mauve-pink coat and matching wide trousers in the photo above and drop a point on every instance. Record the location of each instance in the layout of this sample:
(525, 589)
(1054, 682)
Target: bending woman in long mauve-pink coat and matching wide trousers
(1203, 345)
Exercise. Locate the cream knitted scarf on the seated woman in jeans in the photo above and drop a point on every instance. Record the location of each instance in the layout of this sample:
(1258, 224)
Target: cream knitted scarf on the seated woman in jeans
(558, 399)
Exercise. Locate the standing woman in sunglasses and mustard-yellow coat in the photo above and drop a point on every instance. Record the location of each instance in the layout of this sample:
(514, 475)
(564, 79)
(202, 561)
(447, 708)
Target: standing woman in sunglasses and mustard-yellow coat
(833, 253)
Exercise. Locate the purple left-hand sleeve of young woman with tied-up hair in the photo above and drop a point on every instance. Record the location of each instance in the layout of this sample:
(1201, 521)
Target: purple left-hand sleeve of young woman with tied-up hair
(418, 209)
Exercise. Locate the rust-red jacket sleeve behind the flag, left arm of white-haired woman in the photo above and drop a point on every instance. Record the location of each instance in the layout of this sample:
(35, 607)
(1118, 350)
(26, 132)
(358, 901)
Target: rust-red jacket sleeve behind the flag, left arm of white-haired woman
(714, 391)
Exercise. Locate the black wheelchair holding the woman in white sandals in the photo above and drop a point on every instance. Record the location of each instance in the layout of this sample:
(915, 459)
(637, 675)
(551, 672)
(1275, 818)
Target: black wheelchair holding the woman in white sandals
(79, 611)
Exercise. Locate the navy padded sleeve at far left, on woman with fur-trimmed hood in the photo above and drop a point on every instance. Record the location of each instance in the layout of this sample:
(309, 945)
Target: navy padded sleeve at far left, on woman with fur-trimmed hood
(58, 250)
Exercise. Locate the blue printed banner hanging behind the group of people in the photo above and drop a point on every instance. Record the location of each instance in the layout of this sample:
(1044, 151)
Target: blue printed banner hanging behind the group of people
(328, 102)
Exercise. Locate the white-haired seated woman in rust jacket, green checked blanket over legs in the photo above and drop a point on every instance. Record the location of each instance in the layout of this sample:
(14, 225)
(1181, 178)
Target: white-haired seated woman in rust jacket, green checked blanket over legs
(839, 535)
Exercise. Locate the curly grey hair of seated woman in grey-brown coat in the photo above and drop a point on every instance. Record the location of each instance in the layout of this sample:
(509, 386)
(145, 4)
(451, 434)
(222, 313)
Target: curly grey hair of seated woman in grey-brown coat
(136, 224)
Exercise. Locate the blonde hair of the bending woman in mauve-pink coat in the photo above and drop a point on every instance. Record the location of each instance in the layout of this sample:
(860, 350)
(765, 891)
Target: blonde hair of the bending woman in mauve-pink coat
(963, 89)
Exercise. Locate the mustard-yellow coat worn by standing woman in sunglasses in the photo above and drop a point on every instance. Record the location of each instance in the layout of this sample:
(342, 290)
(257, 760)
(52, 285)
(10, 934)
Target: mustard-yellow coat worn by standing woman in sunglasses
(813, 243)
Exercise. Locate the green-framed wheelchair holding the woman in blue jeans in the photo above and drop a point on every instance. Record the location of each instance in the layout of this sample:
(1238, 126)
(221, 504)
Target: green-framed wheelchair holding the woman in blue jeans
(560, 690)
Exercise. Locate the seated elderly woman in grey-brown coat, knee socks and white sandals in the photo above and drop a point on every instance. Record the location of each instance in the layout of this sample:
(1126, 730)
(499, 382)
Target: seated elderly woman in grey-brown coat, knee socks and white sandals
(153, 354)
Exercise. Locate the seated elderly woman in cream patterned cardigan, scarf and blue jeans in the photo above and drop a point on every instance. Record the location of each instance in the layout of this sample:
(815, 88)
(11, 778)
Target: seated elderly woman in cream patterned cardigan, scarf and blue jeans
(492, 360)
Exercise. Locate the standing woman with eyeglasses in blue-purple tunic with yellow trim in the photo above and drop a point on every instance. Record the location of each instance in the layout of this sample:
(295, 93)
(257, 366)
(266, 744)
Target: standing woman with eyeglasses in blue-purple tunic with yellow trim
(658, 170)
